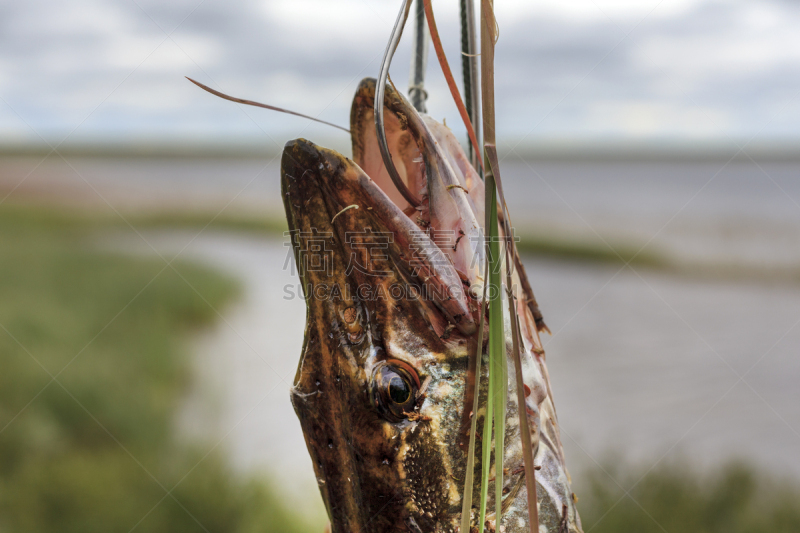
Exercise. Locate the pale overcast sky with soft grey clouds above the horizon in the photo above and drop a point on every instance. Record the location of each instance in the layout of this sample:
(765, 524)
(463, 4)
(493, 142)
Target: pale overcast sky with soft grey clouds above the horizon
(653, 70)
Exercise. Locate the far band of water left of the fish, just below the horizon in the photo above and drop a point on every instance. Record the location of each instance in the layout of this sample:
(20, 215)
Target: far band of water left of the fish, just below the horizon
(135, 183)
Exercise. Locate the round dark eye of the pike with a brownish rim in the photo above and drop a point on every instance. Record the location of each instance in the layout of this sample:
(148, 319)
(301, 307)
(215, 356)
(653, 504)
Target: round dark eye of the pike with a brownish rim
(393, 388)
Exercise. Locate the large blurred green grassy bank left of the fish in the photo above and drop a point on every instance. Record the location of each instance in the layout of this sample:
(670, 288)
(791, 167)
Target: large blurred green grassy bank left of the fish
(93, 450)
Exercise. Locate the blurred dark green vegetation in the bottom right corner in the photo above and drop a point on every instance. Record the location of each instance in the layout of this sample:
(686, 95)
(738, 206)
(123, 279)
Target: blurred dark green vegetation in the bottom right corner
(674, 498)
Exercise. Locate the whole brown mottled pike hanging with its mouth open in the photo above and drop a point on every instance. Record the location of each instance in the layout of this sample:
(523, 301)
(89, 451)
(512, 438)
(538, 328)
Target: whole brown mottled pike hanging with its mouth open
(393, 300)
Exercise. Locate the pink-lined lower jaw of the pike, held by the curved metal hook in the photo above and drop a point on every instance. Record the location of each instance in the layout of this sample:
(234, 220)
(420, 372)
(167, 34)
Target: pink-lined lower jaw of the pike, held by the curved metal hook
(434, 167)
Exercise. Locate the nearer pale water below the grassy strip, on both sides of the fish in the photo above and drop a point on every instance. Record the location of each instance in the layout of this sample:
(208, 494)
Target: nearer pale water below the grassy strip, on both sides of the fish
(646, 366)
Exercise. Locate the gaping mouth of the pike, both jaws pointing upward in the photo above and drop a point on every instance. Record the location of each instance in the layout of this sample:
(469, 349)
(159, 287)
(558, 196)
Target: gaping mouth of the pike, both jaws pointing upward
(435, 248)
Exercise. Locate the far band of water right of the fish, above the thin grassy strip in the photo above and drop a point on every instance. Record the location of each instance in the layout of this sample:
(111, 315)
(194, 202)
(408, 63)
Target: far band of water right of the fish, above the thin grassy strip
(741, 213)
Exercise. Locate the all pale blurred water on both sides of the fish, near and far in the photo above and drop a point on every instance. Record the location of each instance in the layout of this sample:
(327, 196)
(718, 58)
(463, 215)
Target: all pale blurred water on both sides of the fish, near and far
(643, 364)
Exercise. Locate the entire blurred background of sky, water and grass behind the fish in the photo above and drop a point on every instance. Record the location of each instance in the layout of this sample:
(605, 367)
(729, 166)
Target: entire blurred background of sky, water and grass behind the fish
(149, 314)
